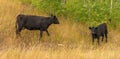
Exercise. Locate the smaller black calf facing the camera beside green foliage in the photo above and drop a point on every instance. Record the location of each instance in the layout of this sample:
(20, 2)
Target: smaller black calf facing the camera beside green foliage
(100, 30)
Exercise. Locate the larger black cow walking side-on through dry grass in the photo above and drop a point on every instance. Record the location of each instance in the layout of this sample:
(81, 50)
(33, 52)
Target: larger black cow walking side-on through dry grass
(32, 22)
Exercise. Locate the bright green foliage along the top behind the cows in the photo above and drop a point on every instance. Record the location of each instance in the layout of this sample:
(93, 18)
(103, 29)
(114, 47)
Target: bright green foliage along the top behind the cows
(92, 11)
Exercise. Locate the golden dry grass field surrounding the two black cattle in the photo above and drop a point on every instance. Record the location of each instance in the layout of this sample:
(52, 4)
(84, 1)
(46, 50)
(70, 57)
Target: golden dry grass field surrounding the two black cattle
(68, 40)
